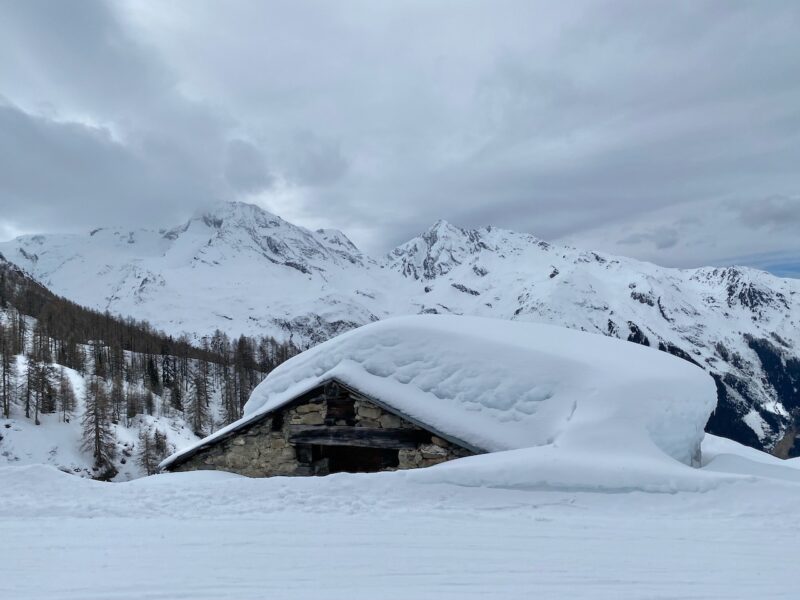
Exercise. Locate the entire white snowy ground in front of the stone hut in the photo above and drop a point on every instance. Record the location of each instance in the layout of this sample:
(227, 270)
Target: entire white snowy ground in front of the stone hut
(483, 527)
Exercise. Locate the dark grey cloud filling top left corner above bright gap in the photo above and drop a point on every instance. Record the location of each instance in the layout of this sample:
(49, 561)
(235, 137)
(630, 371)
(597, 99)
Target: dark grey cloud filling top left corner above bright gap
(78, 56)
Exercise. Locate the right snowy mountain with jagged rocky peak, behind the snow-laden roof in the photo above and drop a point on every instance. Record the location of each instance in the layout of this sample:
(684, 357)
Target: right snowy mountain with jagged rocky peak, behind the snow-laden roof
(740, 324)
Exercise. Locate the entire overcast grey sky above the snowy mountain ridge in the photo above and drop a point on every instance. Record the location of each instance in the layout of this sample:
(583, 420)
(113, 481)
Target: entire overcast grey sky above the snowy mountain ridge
(666, 131)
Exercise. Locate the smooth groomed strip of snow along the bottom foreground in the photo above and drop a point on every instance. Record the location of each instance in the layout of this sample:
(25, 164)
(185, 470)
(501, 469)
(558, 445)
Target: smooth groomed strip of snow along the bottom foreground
(305, 556)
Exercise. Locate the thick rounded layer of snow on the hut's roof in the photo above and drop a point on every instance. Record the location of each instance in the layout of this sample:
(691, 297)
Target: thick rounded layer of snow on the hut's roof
(501, 385)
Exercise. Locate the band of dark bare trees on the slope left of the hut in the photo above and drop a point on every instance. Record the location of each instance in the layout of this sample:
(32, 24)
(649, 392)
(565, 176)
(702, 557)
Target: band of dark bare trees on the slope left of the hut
(128, 368)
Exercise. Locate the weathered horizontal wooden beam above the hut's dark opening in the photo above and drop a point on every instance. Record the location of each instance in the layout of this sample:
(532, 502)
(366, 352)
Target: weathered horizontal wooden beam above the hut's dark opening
(366, 437)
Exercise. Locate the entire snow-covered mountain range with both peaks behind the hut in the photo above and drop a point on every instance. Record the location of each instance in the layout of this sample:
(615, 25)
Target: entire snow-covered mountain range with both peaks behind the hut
(244, 270)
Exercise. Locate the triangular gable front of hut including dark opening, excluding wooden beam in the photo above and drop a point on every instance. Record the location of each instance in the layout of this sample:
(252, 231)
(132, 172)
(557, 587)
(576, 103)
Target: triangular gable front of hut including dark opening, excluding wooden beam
(266, 448)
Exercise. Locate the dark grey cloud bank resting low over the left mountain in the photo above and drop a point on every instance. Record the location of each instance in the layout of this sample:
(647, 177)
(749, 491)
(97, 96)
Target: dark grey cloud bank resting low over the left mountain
(66, 175)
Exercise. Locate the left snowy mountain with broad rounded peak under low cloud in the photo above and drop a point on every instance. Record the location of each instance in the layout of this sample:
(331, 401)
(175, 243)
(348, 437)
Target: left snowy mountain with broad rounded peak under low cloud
(238, 268)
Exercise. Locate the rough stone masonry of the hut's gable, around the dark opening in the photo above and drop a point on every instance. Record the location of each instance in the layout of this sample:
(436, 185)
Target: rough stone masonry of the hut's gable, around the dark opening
(263, 448)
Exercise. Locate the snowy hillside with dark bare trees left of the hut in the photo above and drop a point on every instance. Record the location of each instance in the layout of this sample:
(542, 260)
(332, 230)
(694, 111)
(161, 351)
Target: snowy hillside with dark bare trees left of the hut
(65, 368)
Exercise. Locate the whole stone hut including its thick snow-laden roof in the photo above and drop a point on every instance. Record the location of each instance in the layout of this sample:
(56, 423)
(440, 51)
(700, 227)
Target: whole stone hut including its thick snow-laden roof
(416, 391)
